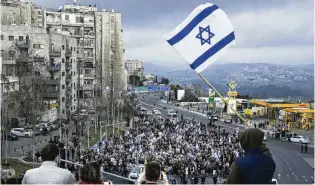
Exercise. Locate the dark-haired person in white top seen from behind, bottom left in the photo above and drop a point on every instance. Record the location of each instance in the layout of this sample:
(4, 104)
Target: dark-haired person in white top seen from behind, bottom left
(48, 172)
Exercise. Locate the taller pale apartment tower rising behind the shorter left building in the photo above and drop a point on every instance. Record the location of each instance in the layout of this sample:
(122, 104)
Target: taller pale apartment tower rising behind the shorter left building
(100, 46)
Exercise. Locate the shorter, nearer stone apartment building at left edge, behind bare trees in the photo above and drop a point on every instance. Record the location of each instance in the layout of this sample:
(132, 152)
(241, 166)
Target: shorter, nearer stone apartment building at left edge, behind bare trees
(57, 56)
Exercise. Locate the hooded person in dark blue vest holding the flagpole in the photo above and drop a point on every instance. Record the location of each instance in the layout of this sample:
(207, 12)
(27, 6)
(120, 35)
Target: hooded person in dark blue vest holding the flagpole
(257, 166)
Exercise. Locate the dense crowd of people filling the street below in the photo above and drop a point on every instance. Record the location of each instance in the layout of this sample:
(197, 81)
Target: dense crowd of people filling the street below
(187, 149)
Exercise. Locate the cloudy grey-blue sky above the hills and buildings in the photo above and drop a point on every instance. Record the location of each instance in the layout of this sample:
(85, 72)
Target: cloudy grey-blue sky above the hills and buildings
(273, 31)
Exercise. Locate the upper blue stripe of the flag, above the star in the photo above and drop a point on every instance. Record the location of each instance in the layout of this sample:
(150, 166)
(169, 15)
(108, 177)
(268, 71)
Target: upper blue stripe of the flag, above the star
(189, 27)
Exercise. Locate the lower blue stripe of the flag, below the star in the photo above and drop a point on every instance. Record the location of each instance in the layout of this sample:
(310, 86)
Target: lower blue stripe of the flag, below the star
(213, 50)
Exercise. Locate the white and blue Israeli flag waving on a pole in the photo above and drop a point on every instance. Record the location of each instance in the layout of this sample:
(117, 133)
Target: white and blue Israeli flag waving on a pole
(203, 36)
